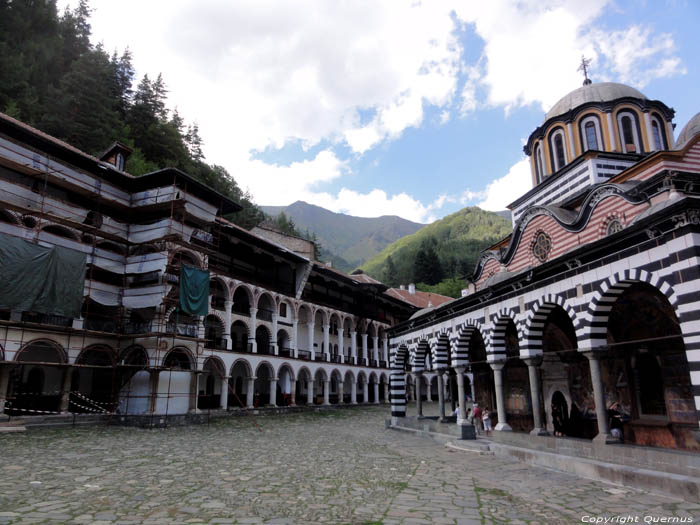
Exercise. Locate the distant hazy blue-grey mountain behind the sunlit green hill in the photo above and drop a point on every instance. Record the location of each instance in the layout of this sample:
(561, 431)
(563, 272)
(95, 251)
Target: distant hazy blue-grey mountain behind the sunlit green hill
(353, 240)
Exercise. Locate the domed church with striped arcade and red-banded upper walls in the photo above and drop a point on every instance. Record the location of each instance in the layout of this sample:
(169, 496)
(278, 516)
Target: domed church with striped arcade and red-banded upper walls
(585, 320)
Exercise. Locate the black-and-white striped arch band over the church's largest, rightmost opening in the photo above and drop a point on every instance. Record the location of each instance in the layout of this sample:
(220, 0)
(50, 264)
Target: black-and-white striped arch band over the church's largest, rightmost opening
(594, 333)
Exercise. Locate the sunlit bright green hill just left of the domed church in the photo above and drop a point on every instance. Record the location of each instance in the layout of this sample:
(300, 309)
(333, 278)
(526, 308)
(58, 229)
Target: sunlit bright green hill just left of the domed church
(457, 240)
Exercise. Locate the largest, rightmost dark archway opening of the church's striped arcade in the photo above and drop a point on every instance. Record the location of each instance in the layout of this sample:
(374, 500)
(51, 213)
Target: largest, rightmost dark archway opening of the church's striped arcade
(646, 375)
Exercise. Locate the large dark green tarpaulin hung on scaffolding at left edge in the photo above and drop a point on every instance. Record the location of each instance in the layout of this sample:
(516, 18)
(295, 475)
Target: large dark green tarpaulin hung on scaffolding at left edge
(38, 279)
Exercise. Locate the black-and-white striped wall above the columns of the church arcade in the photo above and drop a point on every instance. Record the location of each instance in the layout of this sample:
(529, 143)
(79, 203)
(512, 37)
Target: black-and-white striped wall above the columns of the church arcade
(675, 260)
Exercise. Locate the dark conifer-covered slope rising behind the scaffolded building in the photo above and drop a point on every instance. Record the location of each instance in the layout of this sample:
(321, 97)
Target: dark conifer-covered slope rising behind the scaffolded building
(53, 78)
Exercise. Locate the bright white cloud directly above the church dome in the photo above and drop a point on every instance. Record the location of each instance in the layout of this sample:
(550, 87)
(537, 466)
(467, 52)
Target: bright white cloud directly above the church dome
(532, 50)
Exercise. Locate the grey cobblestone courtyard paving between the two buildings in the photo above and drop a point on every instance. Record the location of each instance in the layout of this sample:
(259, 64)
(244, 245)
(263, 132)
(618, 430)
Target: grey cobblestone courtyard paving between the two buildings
(334, 467)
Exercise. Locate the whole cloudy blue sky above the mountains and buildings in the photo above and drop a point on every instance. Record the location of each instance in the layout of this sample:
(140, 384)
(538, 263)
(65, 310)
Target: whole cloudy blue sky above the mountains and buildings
(415, 108)
